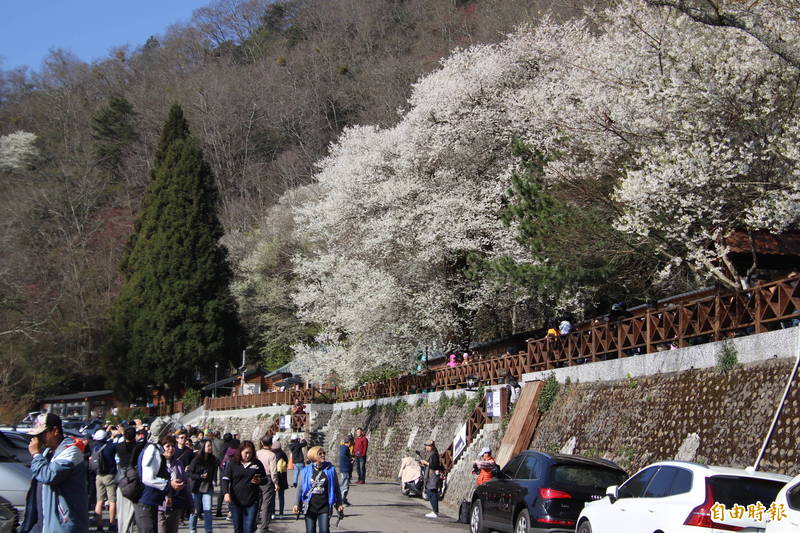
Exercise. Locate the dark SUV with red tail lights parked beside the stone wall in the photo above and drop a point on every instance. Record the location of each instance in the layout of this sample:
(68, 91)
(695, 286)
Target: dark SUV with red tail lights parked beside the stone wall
(541, 493)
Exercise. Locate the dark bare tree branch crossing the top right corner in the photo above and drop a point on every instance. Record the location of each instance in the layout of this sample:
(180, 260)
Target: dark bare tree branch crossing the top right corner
(714, 14)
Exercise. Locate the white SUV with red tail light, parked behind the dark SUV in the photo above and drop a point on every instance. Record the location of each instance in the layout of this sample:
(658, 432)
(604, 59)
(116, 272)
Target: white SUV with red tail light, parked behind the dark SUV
(679, 497)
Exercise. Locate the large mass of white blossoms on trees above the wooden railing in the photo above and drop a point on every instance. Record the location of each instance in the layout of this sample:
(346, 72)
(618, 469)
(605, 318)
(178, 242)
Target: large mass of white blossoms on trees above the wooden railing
(697, 126)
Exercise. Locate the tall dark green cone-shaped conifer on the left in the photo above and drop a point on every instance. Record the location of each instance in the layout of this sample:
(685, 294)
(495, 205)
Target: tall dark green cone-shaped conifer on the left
(174, 317)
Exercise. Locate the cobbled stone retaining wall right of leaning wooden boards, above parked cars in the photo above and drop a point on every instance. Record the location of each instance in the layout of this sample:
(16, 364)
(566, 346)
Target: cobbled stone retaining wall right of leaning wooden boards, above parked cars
(703, 415)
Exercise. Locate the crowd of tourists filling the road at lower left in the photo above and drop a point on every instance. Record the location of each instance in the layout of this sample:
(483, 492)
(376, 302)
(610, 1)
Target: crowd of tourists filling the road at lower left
(162, 476)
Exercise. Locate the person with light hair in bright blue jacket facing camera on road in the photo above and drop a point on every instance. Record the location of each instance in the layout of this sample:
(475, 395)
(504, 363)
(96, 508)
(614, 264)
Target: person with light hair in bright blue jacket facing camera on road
(318, 492)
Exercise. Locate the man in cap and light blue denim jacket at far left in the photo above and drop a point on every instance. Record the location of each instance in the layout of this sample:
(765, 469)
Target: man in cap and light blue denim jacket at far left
(58, 484)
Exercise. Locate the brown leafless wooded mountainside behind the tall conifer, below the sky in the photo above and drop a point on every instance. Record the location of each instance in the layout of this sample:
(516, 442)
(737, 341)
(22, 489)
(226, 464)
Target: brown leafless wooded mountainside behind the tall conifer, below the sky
(265, 85)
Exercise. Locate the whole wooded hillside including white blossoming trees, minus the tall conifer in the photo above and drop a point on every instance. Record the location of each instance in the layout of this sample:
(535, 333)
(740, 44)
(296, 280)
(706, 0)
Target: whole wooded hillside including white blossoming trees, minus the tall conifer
(399, 174)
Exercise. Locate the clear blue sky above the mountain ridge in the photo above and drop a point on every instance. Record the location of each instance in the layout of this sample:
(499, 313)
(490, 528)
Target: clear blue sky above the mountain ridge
(88, 28)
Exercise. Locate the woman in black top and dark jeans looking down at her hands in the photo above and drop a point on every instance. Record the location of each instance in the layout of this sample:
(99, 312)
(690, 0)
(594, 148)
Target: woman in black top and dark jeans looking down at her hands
(241, 479)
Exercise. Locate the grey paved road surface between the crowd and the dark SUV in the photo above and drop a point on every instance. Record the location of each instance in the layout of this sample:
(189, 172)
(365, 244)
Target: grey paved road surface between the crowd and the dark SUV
(377, 507)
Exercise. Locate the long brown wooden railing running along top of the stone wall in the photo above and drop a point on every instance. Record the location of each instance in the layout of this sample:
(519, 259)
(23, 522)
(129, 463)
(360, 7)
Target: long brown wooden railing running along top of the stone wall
(710, 316)
